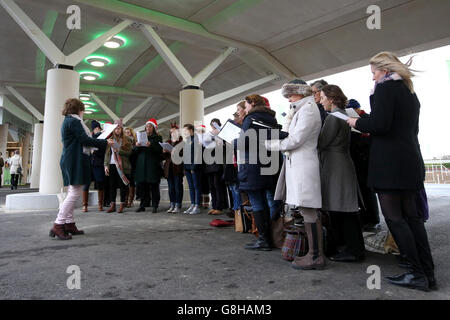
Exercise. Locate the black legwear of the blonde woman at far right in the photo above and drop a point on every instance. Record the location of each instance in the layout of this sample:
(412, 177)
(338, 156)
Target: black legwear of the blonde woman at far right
(408, 229)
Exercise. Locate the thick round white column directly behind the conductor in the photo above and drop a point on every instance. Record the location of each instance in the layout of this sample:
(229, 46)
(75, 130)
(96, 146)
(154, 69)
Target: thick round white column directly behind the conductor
(62, 84)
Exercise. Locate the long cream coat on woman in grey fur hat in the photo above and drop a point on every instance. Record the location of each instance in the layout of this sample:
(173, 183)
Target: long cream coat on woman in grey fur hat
(302, 161)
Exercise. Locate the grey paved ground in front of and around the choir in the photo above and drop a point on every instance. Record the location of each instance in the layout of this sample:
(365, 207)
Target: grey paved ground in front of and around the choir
(162, 256)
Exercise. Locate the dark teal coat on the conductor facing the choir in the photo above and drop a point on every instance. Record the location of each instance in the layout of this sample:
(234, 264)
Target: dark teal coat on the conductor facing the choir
(75, 165)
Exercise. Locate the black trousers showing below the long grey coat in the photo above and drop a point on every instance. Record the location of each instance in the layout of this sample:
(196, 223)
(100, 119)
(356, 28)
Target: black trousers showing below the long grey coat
(347, 231)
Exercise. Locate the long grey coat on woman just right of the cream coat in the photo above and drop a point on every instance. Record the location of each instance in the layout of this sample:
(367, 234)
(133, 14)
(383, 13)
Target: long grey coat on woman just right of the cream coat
(337, 173)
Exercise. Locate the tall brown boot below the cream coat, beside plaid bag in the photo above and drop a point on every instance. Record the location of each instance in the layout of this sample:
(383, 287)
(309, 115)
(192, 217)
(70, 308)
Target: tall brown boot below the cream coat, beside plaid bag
(314, 259)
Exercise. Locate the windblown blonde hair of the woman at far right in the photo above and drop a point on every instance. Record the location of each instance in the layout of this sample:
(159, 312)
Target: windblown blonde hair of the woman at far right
(389, 61)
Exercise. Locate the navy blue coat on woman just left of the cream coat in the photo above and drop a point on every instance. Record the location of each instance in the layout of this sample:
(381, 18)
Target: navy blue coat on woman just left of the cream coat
(249, 175)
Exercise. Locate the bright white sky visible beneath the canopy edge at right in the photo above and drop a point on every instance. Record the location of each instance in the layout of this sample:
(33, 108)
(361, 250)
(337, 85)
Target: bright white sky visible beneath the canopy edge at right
(432, 85)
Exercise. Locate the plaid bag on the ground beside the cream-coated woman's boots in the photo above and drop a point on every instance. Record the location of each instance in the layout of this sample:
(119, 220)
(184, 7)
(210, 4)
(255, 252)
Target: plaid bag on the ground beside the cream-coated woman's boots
(295, 244)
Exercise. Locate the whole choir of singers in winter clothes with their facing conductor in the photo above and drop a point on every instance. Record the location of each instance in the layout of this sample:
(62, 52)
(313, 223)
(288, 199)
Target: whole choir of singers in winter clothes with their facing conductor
(325, 167)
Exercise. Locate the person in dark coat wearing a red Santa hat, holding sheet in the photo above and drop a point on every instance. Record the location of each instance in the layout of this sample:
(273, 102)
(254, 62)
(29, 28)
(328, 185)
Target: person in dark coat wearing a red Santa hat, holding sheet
(149, 167)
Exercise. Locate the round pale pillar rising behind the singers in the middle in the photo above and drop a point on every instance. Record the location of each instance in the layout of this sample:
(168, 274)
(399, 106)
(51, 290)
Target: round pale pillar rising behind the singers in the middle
(191, 105)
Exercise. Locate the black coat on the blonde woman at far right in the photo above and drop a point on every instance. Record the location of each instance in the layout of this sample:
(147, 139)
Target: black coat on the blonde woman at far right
(395, 160)
